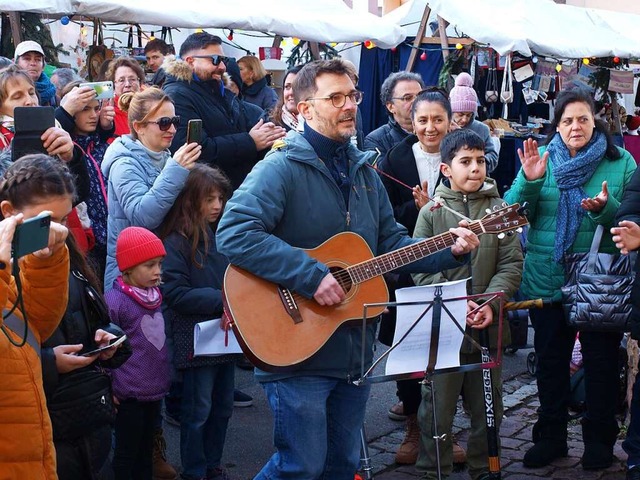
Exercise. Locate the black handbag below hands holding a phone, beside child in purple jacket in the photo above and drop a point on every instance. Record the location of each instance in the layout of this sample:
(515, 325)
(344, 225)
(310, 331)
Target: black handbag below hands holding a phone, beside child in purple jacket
(82, 403)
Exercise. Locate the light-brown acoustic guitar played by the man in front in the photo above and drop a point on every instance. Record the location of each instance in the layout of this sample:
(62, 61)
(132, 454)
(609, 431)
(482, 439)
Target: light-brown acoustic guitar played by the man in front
(278, 329)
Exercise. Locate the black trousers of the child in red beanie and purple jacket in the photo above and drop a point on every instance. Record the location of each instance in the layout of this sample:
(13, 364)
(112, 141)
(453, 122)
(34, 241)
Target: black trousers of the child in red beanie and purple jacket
(135, 428)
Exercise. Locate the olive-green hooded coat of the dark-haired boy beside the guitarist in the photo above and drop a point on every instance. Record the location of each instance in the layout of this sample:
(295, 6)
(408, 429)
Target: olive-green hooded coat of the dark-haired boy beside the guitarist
(496, 265)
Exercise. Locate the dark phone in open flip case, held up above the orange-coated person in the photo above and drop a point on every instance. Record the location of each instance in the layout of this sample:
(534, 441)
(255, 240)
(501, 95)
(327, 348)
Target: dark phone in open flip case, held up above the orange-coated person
(30, 123)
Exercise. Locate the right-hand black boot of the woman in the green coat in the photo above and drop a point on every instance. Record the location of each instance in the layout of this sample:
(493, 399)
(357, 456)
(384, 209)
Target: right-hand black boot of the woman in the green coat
(599, 439)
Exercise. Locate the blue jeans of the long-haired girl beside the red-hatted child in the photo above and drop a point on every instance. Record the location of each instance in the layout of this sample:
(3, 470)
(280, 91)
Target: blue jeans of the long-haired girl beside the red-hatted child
(207, 404)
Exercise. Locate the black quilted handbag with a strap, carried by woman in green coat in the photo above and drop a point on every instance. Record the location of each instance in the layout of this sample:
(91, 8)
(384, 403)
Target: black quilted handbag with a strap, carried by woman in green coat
(597, 291)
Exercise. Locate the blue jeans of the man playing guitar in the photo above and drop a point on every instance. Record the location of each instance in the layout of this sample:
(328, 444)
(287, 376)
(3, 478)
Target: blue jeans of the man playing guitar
(317, 423)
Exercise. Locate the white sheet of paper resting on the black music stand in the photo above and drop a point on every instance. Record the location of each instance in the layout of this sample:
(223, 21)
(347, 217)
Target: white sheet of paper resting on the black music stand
(412, 354)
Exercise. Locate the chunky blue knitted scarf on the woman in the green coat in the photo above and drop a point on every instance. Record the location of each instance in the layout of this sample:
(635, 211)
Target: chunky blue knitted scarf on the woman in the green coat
(571, 173)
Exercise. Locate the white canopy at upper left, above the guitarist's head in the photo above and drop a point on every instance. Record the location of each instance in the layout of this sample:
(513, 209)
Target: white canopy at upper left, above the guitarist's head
(318, 20)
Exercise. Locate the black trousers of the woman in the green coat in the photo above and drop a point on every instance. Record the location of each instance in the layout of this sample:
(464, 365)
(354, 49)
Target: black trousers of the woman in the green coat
(553, 343)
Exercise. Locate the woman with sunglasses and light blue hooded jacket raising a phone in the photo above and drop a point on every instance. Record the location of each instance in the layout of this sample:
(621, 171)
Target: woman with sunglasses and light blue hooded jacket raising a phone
(143, 178)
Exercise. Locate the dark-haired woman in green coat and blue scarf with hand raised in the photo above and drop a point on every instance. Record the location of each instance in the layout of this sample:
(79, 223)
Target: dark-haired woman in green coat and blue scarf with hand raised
(572, 184)
